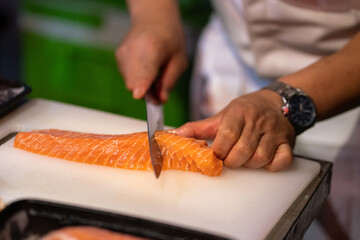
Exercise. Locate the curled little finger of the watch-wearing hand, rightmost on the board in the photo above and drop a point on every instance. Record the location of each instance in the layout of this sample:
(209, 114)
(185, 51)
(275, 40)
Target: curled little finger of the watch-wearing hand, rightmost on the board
(282, 159)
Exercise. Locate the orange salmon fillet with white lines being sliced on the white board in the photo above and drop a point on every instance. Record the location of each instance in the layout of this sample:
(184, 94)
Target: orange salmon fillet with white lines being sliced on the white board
(128, 151)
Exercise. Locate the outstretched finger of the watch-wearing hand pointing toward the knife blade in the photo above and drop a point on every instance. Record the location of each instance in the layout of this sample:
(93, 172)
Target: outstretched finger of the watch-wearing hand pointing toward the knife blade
(203, 129)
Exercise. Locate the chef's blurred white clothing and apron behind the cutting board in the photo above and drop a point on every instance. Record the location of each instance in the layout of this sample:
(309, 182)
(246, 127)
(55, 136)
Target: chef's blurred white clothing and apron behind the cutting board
(248, 44)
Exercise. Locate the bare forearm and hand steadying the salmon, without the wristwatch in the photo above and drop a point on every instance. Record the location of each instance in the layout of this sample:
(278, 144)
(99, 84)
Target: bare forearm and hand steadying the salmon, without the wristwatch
(252, 130)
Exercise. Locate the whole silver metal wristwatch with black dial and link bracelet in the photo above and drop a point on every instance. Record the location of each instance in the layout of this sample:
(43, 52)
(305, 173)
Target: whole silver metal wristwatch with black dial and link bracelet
(297, 106)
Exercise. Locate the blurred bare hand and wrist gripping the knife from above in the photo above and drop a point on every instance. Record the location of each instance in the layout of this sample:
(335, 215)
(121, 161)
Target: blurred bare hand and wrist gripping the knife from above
(155, 41)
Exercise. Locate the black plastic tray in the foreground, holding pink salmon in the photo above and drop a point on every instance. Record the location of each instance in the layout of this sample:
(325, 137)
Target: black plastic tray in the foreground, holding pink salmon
(31, 219)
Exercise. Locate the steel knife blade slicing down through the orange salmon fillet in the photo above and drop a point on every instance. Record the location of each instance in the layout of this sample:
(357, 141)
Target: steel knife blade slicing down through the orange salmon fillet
(155, 122)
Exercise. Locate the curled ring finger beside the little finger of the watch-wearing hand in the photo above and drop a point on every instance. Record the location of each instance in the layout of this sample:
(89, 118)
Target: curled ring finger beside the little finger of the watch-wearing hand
(264, 153)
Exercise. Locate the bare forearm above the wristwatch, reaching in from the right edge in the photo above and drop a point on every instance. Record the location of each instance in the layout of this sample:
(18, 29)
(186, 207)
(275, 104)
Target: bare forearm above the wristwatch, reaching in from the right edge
(332, 82)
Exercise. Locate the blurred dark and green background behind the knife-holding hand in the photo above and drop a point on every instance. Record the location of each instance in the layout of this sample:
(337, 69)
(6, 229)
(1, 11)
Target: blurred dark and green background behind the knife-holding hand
(64, 50)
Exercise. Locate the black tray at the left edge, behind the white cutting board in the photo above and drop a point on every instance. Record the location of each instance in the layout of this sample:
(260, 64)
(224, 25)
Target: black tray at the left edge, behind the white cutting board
(11, 95)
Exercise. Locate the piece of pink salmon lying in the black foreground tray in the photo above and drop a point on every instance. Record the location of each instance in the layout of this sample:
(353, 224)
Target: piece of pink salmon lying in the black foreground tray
(87, 233)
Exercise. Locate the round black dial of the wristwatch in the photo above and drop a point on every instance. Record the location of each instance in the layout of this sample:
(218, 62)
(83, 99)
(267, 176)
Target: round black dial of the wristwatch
(302, 111)
